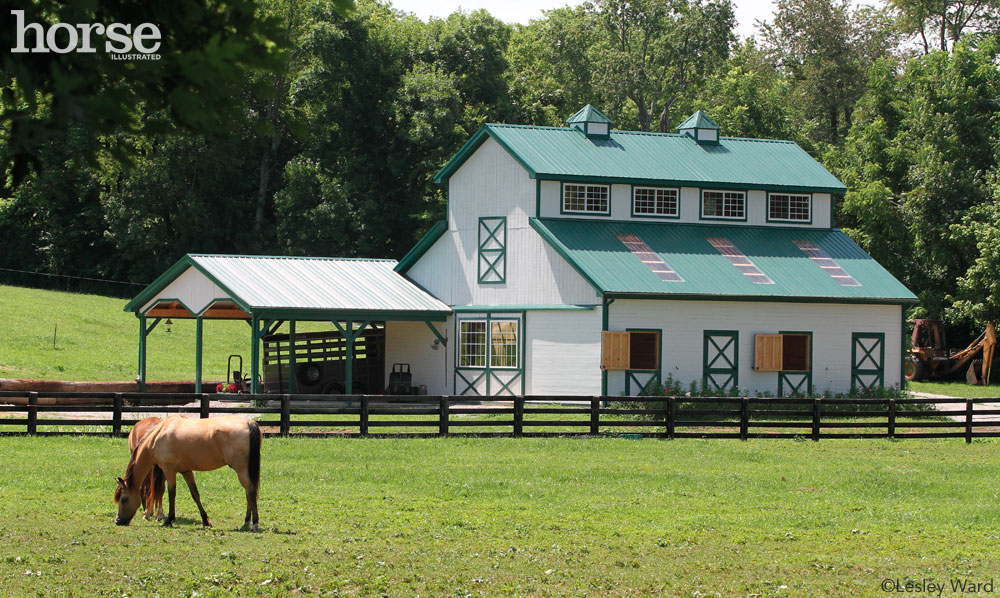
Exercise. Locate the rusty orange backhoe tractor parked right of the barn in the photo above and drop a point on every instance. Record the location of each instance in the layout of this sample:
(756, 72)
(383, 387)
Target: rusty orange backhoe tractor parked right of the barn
(931, 360)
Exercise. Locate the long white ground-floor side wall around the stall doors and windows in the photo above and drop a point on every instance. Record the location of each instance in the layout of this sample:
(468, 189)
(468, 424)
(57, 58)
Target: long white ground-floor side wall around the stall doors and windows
(684, 322)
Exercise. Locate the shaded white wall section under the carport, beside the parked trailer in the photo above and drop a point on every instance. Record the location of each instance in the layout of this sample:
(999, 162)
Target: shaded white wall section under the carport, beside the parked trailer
(411, 342)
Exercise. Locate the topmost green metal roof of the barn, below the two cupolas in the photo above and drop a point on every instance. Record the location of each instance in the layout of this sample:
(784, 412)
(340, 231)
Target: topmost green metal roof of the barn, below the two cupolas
(561, 153)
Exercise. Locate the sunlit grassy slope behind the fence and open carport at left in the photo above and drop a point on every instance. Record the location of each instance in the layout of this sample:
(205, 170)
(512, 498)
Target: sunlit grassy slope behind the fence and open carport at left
(96, 340)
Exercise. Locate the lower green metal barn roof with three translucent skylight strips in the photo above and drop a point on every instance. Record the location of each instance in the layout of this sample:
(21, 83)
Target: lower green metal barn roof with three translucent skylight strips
(595, 251)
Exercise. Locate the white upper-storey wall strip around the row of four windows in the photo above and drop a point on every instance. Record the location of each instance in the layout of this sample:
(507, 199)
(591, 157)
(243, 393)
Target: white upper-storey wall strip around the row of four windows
(690, 207)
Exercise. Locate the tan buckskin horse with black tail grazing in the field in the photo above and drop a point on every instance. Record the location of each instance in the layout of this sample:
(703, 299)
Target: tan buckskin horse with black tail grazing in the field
(182, 445)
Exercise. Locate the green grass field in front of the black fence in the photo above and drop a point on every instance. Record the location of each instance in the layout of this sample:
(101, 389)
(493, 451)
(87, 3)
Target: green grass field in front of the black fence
(554, 517)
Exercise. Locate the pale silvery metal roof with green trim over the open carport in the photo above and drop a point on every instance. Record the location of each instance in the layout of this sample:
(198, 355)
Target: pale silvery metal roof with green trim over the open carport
(278, 285)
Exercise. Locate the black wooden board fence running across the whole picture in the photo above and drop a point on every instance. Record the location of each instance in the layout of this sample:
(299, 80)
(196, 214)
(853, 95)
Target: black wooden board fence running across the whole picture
(35, 413)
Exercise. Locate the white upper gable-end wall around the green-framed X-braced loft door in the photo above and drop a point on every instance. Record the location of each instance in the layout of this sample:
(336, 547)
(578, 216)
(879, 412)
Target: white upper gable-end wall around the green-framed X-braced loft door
(492, 183)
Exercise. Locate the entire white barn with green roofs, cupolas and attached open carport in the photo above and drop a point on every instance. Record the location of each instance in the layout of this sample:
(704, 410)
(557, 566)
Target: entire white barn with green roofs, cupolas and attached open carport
(584, 260)
